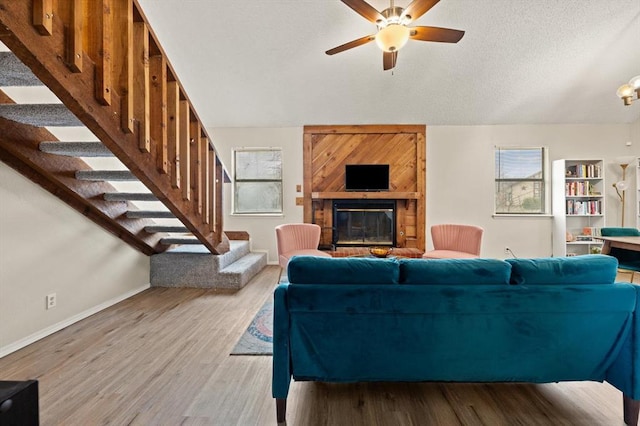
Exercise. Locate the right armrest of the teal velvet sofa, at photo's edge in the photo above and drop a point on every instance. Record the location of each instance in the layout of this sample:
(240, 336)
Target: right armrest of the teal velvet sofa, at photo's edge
(624, 372)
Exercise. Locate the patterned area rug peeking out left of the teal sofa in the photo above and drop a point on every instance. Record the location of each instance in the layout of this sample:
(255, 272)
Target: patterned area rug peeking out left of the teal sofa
(258, 338)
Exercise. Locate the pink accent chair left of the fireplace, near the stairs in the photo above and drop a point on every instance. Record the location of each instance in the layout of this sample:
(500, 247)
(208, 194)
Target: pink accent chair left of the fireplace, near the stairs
(297, 239)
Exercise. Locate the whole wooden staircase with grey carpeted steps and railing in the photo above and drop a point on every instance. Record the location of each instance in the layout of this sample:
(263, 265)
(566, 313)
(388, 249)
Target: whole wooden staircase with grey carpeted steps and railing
(151, 176)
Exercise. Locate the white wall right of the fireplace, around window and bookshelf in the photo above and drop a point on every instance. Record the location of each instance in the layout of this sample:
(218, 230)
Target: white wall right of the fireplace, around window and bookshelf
(460, 175)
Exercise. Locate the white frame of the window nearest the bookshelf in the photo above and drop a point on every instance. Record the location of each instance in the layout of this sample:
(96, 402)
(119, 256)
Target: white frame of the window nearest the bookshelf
(545, 184)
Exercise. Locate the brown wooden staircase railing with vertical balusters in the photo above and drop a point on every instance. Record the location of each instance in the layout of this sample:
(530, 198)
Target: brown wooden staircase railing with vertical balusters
(102, 60)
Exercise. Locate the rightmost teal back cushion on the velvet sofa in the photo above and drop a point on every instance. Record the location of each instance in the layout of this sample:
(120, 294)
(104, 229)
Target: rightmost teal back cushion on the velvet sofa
(588, 269)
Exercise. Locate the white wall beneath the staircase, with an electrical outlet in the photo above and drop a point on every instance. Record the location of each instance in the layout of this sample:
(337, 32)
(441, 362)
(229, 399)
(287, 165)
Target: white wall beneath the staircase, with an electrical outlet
(47, 247)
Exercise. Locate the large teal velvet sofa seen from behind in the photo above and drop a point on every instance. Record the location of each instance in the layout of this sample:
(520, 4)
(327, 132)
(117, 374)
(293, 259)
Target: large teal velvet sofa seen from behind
(456, 320)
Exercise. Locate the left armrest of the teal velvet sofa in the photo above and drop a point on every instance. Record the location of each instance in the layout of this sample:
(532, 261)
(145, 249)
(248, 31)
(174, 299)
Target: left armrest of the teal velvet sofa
(281, 350)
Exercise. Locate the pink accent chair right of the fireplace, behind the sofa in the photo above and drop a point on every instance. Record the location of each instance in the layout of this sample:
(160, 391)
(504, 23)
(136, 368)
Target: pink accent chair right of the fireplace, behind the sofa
(455, 241)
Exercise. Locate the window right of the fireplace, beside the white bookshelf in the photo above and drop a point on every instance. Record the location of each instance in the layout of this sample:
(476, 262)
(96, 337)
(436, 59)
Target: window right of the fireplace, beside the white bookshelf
(520, 180)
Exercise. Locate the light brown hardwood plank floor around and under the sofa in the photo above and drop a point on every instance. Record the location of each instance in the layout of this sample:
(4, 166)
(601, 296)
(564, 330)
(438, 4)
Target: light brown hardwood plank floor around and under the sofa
(162, 358)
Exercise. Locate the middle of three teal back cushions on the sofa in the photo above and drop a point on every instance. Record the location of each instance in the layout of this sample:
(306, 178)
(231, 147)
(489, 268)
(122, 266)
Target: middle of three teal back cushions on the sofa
(454, 271)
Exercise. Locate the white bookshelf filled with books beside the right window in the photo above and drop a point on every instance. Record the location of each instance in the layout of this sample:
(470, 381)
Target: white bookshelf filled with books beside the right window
(577, 205)
